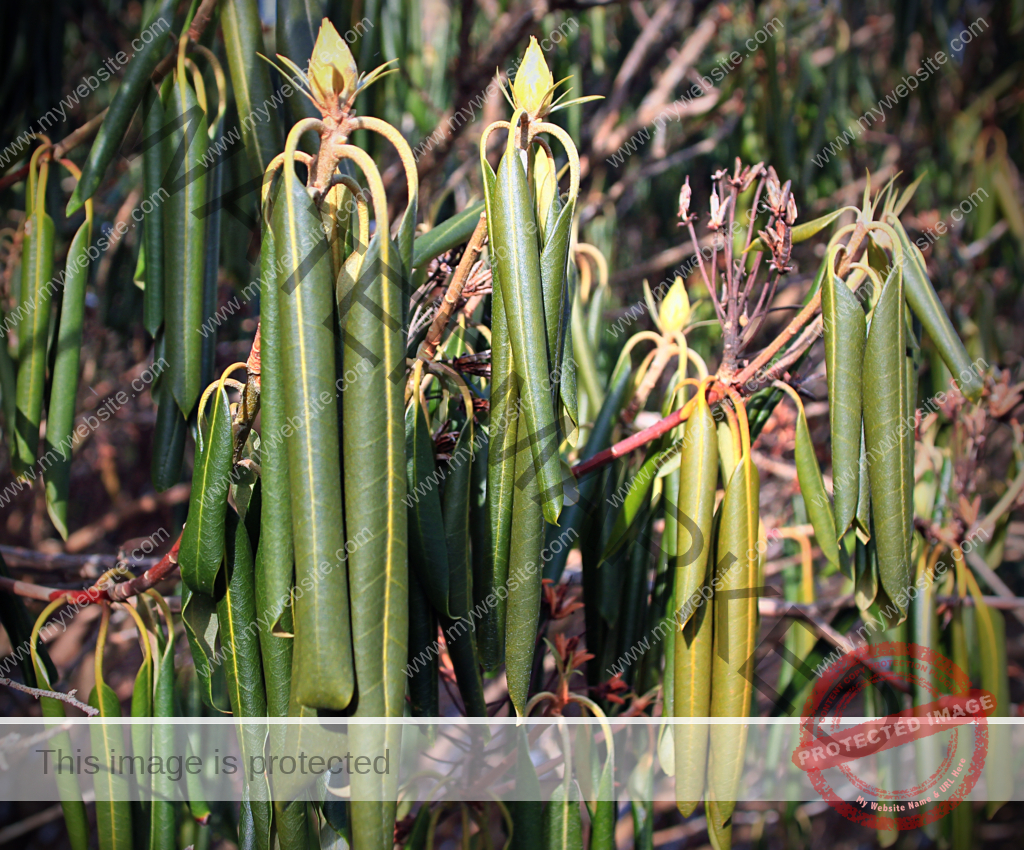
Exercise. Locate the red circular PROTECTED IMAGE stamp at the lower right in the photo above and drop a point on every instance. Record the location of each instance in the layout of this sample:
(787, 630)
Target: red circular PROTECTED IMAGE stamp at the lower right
(836, 754)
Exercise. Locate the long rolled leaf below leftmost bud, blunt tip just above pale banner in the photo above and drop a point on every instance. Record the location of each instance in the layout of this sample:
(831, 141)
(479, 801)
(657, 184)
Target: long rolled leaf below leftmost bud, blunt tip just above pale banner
(325, 678)
